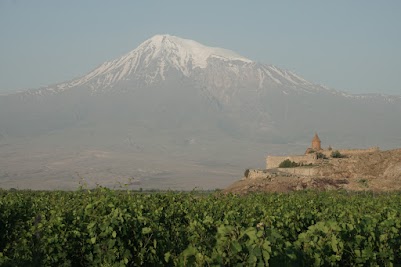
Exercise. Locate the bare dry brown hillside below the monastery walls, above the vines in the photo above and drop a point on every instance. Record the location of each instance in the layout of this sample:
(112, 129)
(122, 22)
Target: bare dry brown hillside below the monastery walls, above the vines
(377, 171)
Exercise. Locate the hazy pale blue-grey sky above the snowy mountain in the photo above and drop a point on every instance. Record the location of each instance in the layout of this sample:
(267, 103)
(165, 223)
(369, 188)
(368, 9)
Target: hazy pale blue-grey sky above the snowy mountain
(353, 46)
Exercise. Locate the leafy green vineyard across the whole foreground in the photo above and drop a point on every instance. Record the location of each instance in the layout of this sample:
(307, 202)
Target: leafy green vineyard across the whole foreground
(103, 227)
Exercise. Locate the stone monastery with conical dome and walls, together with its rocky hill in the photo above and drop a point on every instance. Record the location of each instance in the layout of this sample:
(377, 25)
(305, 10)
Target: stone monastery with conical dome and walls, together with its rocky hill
(326, 168)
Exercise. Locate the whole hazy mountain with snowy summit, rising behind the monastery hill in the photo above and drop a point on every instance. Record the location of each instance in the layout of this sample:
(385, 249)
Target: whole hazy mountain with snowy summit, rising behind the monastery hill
(176, 114)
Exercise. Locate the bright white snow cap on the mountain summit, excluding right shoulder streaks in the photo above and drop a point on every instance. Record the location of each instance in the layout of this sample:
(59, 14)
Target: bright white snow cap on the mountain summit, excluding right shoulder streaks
(159, 52)
